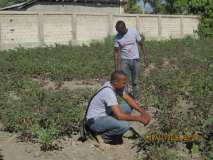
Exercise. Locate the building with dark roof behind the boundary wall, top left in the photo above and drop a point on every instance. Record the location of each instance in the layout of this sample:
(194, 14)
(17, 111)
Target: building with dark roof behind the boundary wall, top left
(89, 6)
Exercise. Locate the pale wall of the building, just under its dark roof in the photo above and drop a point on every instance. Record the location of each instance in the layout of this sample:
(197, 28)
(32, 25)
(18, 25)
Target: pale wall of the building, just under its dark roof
(75, 8)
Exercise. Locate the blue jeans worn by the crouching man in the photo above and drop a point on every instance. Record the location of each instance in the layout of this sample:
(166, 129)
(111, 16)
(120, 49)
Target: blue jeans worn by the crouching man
(109, 126)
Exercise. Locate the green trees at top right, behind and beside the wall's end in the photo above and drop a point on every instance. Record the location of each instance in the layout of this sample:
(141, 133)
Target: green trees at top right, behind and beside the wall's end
(204, 8)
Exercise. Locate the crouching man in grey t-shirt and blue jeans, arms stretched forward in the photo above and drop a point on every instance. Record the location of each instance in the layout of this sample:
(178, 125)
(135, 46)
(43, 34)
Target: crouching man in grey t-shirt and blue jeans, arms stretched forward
(110, 119)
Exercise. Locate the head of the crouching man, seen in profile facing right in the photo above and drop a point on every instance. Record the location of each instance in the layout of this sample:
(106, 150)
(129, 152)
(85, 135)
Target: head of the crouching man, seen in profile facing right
(119, 79)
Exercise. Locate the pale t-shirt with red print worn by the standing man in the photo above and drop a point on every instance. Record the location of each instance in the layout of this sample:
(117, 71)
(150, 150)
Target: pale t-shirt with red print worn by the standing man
(128, 44)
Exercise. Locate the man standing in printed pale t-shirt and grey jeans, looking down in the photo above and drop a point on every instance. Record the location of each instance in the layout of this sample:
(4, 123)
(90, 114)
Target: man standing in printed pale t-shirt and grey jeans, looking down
(126, 54)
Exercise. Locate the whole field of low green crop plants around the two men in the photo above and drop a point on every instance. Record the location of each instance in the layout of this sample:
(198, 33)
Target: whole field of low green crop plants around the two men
(178, 83)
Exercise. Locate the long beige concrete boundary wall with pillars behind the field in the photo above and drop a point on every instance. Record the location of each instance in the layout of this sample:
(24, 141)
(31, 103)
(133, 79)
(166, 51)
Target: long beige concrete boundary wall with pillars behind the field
(30, 29)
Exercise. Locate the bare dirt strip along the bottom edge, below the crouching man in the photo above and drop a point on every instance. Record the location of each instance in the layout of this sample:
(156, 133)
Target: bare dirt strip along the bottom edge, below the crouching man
(72, 150)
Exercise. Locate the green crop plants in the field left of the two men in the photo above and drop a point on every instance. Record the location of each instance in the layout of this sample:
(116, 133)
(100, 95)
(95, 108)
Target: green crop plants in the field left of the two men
(29, 109)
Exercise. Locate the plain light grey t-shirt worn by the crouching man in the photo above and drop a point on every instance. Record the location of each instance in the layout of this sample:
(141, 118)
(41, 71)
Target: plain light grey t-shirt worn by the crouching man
(105, 98)
